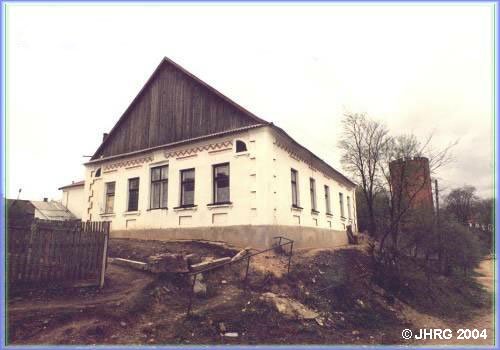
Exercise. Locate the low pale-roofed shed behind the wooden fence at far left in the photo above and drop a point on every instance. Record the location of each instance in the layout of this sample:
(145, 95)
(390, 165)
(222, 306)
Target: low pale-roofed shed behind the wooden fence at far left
(46, 210)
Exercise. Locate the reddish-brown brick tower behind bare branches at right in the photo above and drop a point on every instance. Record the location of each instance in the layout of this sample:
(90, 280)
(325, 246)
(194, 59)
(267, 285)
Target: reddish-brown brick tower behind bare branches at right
(411, 183)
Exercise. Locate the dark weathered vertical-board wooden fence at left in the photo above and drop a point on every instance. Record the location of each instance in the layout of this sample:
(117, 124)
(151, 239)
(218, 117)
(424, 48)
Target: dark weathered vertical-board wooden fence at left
(44, 253)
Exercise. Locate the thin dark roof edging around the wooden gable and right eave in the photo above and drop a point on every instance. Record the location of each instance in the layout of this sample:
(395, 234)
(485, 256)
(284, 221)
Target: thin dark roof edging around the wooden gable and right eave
(318, 162)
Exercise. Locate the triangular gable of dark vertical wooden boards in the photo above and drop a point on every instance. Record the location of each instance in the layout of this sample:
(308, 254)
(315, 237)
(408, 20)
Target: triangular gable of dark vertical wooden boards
(173, 106)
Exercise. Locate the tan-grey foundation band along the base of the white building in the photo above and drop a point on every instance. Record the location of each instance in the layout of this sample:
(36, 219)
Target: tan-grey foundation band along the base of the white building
(244, 235)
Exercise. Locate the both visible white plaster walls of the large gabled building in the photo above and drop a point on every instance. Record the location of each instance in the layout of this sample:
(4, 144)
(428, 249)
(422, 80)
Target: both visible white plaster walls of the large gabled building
(260, 188)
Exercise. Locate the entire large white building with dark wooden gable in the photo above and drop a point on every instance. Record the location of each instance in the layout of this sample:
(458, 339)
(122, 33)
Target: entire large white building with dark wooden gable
(184, 161)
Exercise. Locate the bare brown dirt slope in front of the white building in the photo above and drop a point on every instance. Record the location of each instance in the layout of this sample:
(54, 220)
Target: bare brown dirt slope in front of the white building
(137, 307)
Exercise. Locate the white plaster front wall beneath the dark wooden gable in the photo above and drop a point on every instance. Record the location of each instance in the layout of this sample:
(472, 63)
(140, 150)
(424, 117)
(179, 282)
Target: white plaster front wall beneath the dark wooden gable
(248, 186)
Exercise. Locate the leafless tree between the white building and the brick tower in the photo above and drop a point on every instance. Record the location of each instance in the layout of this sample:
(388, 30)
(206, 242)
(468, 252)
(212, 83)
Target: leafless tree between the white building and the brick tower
(363, 142)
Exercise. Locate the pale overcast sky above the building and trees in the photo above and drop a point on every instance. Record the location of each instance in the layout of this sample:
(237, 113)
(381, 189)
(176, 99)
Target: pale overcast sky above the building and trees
(73, 69)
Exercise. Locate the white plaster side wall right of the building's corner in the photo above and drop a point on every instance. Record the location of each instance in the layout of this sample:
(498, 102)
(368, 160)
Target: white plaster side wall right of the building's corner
(283, 162)
